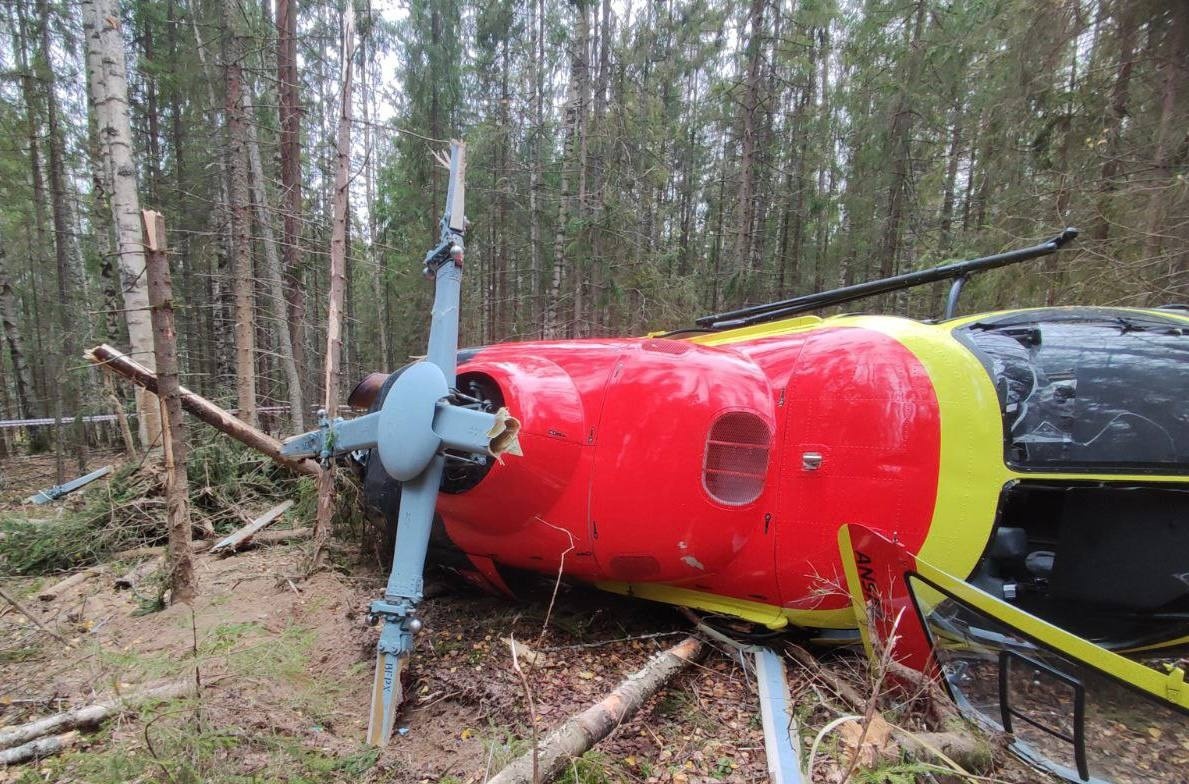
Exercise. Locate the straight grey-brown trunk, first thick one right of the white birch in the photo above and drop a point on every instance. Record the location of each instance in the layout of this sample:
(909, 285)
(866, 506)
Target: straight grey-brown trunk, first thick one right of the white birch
(241, 217)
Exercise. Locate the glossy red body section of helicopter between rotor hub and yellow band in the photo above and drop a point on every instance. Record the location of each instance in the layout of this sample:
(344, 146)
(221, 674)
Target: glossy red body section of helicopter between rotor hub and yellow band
(664, 461)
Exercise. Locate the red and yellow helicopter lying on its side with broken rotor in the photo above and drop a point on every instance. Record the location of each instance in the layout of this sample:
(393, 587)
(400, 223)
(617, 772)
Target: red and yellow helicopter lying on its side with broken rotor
(1040, 455)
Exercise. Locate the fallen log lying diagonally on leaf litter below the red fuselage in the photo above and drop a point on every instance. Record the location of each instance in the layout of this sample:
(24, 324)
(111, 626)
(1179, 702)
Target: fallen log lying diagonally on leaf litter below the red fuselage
(582, 732)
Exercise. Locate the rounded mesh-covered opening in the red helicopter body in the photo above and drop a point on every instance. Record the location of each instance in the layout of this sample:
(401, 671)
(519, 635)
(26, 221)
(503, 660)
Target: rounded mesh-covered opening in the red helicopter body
(737, 459)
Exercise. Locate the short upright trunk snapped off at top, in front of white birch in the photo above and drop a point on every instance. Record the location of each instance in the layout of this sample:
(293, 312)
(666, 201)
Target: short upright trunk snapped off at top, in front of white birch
(183, 587)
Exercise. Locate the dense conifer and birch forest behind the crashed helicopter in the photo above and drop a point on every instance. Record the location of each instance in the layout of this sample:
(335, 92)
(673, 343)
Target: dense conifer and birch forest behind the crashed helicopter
(632, 166)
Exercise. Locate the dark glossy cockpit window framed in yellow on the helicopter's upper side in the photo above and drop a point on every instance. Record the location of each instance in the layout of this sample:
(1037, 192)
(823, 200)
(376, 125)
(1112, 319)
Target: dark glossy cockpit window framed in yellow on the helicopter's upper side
(1105, 390)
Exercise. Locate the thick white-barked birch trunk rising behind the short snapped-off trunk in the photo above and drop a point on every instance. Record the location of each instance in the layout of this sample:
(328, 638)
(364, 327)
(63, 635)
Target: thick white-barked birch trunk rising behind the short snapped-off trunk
(110, 91)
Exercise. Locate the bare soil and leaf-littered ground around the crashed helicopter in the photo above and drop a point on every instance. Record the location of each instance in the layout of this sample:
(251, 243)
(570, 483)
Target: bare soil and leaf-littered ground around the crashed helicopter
(285, 662)
